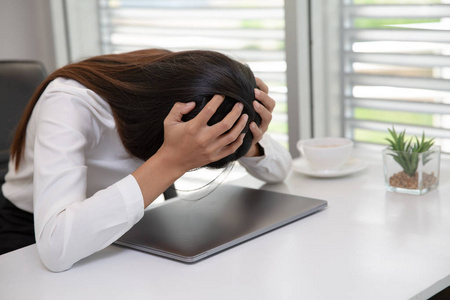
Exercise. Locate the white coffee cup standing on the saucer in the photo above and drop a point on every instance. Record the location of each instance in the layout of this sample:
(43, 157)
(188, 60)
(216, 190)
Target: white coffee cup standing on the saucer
(326, 154)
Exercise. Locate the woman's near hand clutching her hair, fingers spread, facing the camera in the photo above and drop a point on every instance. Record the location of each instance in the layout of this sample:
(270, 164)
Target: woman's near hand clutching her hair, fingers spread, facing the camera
(194, 143)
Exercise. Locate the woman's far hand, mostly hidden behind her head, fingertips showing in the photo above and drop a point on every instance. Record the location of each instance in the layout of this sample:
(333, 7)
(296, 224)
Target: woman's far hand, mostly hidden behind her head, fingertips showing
(264, 109)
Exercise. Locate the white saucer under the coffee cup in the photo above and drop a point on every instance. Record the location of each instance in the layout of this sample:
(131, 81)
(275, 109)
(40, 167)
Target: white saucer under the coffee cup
(353, 165)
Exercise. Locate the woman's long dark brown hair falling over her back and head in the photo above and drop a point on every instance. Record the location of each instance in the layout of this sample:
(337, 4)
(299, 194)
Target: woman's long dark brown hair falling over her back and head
(142, 86)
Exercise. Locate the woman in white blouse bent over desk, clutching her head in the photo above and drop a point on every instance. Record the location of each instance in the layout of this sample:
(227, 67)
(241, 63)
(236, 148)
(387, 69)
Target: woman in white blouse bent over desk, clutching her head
(103, 138)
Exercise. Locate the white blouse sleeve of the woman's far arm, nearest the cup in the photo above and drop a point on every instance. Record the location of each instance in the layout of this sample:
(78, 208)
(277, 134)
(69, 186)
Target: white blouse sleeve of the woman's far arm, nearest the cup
(273, 166)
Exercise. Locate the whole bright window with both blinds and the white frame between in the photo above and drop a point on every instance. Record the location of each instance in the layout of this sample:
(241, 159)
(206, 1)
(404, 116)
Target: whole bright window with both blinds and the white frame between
(354, 67)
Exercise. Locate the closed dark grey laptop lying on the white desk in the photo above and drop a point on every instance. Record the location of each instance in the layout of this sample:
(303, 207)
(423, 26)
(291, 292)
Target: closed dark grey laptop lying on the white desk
(191, 230)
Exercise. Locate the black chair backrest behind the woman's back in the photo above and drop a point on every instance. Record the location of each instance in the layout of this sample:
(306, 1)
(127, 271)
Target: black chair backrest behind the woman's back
(18, 81)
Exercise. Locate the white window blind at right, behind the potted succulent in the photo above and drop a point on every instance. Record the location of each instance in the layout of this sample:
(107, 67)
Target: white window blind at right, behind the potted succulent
(396, 68)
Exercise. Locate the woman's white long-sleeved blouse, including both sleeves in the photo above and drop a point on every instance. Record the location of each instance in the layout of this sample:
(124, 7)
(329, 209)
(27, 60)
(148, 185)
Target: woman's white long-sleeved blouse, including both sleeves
(76, 175)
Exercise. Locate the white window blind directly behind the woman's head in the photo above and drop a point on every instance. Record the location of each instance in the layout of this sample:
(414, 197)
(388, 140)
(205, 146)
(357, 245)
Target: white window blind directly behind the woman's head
(251, 31)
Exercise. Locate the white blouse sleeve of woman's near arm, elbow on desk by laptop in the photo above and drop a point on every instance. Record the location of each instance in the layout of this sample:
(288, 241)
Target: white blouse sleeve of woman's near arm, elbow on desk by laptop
(68, 225)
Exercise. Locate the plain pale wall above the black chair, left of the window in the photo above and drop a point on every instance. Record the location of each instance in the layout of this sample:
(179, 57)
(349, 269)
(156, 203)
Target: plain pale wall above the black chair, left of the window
(26, 31)
